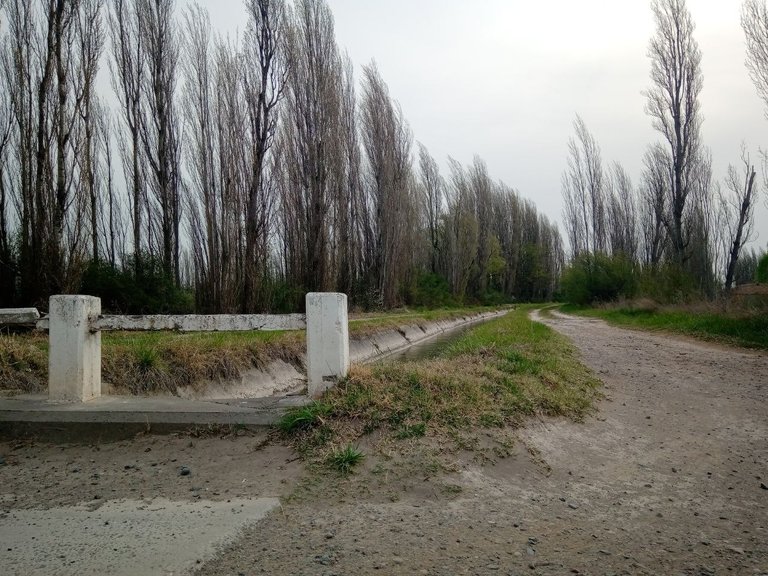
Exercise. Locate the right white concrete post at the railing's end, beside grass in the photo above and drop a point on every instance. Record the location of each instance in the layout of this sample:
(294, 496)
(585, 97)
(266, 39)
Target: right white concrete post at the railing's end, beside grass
(327, 341)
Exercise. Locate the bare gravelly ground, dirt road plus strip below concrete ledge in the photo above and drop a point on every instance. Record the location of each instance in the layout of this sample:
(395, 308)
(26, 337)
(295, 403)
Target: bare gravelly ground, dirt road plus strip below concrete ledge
(670, 476)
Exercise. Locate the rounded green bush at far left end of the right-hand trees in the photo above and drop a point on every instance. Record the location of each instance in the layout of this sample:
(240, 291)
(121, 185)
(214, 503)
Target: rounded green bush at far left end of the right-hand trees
(595, 278)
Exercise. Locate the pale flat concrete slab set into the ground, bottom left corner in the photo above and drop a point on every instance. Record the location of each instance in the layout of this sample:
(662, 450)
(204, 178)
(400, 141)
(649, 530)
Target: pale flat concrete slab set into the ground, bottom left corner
(123, 538)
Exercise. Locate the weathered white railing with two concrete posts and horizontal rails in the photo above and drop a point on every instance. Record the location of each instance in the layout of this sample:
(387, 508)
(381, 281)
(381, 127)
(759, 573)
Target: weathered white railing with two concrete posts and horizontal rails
(75, 323)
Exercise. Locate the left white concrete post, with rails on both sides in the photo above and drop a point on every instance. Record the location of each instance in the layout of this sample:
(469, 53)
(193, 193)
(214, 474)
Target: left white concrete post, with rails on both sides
(74, 352)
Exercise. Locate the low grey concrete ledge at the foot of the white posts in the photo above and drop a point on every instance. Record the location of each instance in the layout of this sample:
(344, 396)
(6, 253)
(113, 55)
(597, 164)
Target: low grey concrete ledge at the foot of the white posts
(148, 410)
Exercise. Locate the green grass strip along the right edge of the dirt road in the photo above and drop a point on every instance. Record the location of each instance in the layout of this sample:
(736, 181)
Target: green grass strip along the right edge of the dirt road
(739, 328)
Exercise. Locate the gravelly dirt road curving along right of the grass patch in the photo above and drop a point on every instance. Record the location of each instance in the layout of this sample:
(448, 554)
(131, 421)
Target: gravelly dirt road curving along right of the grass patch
(664, 479)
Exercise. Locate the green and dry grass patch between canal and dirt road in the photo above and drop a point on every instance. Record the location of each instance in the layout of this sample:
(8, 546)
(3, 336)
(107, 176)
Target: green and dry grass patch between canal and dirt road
(495, 375)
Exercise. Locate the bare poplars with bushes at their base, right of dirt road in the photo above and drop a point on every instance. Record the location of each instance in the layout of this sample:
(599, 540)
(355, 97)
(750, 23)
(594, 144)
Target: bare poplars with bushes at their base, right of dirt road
(679, 233)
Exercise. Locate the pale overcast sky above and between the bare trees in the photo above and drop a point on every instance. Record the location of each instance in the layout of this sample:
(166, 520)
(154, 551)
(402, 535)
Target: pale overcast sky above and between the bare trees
(504, 79)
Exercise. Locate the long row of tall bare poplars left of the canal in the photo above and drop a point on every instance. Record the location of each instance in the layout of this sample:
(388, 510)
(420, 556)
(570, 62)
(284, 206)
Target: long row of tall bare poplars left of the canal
(249, 170)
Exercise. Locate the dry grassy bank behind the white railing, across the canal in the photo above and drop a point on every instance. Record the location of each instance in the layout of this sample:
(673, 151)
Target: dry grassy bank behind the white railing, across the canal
(162, 362)
